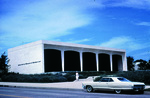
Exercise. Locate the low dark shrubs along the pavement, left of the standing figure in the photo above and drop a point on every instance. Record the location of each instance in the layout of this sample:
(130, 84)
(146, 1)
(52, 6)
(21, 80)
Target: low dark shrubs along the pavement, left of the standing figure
(33, 78)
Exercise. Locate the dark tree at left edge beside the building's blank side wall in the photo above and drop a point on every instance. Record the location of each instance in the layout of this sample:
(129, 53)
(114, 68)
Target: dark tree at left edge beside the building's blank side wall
(4, 63)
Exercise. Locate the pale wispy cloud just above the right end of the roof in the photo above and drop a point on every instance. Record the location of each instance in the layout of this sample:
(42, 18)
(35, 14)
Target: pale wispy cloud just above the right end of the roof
(123, 42)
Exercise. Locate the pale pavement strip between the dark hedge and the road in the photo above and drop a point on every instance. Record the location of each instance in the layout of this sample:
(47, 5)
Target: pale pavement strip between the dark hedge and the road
(76, 85)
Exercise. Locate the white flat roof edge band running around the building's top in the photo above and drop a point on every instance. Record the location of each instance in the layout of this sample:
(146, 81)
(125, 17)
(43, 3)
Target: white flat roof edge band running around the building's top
(66, 44)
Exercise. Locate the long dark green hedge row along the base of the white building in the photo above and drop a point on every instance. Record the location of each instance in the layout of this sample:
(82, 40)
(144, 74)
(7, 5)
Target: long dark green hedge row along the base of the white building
(139, 76)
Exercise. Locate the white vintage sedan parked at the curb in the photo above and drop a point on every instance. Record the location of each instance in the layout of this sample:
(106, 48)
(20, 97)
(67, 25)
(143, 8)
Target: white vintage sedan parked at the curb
(116, 84)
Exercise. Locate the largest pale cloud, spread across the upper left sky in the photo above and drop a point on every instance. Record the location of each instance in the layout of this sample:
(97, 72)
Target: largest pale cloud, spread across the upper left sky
(44, 19)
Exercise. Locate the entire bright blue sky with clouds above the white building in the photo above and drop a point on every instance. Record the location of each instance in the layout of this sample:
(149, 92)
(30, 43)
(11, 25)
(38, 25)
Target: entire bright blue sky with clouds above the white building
(123, 24)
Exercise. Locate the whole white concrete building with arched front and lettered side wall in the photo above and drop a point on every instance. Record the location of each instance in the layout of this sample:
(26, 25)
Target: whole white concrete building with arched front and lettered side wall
(48, 56)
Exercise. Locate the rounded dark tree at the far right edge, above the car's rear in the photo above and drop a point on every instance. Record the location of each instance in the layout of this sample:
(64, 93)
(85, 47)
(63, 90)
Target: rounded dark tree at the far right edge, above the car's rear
(143, 65)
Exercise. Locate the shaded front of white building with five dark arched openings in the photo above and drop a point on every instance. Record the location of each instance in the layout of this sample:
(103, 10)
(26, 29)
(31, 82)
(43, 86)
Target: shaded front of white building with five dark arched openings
(70, 59)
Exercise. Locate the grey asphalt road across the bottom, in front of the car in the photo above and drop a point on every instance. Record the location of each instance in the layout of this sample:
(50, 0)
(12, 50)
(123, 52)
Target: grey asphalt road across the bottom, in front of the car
(11, 92)
